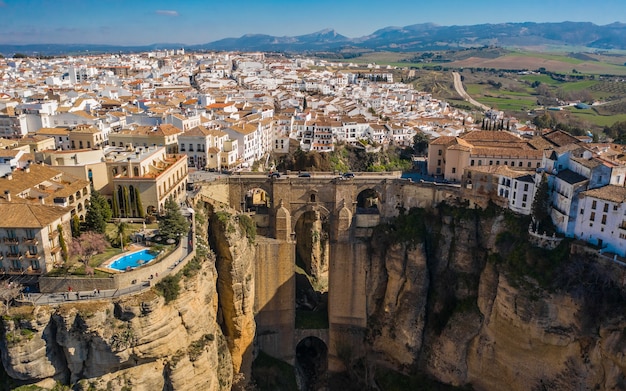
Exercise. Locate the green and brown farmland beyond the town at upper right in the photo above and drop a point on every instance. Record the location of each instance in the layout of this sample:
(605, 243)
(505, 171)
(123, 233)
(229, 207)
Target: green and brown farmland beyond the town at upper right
(494, 77)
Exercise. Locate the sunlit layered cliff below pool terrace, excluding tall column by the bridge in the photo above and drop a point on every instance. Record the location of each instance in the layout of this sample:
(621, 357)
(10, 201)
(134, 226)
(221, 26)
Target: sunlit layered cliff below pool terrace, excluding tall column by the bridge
(138, 342)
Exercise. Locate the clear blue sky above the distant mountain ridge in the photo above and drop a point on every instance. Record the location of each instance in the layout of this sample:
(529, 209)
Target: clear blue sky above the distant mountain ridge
(124, 22)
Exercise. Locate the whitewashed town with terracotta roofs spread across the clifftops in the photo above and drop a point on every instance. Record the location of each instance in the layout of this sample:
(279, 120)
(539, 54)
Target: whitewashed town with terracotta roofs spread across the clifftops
(133, 126)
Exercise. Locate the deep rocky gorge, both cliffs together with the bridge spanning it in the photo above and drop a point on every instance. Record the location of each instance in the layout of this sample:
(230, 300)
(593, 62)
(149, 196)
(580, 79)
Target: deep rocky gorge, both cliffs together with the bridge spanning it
(412, 285)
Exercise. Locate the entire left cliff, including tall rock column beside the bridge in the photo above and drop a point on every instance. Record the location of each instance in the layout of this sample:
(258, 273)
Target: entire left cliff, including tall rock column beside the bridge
(141, 342)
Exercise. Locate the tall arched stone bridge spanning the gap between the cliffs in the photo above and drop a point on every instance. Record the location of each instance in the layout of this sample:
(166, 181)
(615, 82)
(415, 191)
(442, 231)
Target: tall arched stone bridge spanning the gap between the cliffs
(347, 209)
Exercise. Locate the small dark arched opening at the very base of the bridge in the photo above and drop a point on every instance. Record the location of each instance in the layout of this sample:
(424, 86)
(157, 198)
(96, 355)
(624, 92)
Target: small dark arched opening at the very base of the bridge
(312, 364)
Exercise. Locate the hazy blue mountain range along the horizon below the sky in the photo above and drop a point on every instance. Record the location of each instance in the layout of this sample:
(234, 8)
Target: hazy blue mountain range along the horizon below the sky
(416, 37)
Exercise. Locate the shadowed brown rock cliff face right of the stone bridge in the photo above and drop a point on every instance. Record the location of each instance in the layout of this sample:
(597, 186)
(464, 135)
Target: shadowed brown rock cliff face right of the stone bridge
(448, 306)
